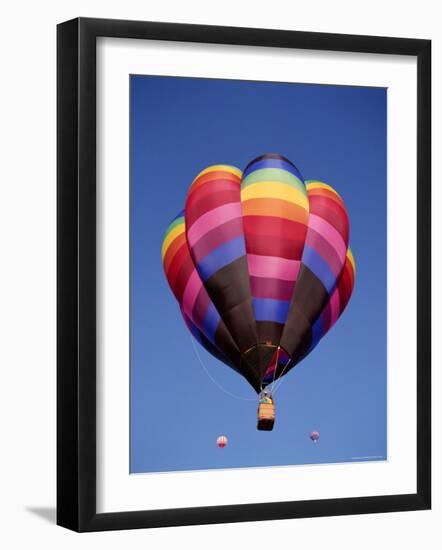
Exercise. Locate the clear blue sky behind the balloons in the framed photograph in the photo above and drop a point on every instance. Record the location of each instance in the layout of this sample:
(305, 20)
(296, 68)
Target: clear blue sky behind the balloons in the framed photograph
(178, 126)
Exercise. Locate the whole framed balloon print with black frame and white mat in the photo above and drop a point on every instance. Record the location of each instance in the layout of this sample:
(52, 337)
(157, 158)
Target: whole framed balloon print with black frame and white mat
(243, 274)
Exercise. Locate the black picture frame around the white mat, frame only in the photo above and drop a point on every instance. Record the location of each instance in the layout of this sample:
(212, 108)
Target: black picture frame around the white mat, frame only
(76, 274)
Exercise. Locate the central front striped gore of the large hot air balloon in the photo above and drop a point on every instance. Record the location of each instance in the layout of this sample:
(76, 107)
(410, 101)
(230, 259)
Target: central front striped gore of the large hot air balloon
(275, 210)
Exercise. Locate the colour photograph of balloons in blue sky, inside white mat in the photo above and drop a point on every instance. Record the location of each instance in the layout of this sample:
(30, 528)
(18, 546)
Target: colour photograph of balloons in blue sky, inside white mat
(258, 274)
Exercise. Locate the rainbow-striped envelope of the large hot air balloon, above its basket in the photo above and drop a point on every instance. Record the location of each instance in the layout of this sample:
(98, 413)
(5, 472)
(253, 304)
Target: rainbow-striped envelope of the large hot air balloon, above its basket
(260, 265)
